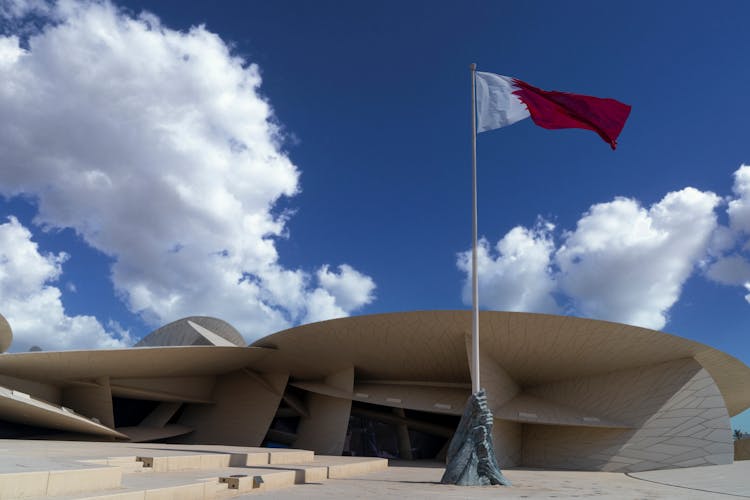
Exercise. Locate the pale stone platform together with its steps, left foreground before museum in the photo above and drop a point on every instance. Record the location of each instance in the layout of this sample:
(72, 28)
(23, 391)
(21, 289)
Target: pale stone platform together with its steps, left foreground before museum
(128, 471)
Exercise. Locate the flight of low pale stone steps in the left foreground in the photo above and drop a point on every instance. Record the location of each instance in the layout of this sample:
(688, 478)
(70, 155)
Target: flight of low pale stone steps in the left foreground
(186, 476)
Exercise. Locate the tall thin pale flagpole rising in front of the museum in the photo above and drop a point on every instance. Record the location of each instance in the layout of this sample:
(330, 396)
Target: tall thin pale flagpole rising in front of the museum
(474, 279)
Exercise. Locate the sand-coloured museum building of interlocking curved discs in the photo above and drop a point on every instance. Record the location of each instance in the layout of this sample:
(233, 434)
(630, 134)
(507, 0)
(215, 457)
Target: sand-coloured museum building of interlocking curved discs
(565, 392)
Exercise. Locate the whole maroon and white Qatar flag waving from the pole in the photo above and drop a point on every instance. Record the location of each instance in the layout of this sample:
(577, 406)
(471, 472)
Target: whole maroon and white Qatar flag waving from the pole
(503, 100)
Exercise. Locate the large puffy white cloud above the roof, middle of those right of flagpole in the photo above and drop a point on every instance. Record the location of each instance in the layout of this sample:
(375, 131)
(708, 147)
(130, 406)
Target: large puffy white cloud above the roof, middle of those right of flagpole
(628, 264)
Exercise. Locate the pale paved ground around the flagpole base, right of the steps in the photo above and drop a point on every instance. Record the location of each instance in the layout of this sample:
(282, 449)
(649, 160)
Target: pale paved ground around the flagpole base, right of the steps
(422, 481)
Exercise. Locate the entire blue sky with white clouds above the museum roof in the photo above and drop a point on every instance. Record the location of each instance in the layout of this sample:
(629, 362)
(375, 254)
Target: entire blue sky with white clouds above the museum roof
(365, 166)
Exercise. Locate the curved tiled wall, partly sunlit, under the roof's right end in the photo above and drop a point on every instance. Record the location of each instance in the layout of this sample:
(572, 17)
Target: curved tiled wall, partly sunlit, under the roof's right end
(675, 411)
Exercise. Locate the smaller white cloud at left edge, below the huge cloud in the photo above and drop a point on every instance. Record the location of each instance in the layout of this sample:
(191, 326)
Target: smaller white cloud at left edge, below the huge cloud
(31, 303)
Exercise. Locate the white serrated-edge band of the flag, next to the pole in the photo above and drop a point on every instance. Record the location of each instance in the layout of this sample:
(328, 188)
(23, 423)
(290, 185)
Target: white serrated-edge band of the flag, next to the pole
(497, 106)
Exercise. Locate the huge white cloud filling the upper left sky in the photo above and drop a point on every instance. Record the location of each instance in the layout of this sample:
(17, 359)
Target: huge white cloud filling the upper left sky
(157, 147)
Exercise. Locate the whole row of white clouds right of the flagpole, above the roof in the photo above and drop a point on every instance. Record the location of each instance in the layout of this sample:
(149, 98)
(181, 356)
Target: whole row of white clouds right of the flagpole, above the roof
(623, 262)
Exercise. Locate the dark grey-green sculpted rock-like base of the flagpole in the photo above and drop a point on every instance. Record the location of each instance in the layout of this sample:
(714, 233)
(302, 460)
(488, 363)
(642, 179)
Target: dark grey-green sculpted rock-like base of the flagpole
(471, 454)
